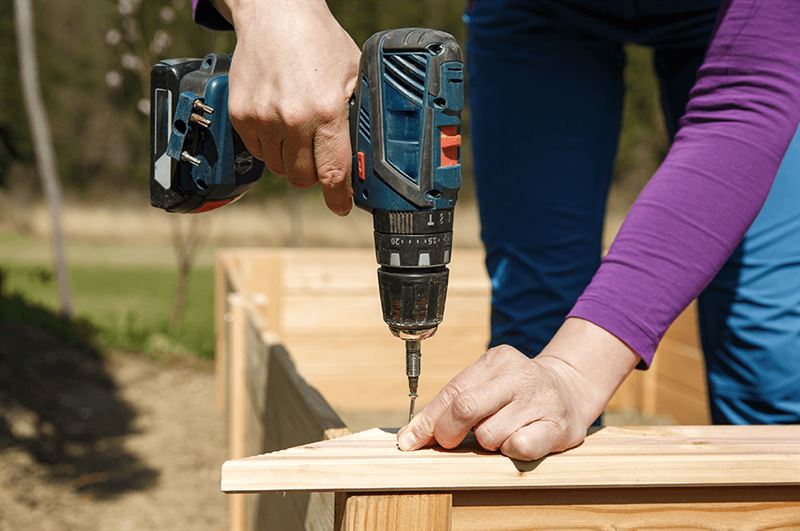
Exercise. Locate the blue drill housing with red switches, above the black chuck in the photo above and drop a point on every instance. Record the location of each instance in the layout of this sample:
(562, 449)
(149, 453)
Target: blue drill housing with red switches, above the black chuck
(402, 164)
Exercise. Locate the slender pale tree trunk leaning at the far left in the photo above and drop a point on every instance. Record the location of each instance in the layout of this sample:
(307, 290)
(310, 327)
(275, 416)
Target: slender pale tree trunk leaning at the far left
(42, 143)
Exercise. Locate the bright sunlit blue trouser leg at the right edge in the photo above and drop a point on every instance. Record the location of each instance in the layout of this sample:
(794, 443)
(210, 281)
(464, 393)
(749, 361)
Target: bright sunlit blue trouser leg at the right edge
(750, 314)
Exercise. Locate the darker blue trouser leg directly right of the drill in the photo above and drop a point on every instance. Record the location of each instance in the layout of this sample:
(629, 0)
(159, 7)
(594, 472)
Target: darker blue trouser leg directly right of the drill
(545, 110)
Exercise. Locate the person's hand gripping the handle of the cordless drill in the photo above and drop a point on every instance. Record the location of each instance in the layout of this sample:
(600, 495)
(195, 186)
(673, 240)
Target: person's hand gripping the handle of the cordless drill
(294, 70)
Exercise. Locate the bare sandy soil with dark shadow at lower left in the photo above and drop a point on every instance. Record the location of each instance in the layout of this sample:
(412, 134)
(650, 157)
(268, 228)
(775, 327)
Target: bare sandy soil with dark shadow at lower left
(148, 459)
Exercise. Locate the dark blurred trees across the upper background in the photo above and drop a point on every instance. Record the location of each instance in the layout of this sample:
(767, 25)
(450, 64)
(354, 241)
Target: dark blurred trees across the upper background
(95, 58)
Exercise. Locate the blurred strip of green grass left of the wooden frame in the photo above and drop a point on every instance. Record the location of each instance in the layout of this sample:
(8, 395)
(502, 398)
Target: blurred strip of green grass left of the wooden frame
(128, 307)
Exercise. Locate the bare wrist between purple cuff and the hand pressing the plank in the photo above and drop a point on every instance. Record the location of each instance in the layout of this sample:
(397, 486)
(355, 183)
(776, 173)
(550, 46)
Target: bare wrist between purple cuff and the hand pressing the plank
(596, 360)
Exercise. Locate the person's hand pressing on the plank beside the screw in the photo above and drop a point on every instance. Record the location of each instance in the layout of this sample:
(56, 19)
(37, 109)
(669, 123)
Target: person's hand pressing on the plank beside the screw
(527, 408)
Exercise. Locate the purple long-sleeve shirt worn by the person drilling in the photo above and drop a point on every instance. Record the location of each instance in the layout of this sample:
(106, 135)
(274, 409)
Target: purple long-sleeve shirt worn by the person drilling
(743, 111)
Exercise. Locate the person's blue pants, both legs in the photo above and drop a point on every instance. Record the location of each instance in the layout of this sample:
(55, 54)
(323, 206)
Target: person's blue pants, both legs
(546, 90)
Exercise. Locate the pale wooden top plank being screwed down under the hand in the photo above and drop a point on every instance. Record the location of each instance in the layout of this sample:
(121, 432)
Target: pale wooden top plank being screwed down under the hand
(618, 457)
